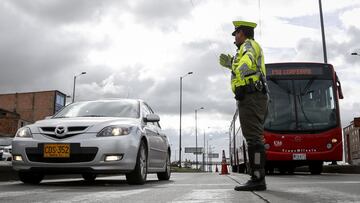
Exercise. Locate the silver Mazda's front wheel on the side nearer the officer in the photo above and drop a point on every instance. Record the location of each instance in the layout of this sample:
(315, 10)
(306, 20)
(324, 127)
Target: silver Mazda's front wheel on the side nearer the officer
(139, 174)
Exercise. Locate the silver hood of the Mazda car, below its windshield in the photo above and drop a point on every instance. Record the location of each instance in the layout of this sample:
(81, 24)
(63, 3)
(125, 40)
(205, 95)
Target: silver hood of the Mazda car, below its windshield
(92, 124)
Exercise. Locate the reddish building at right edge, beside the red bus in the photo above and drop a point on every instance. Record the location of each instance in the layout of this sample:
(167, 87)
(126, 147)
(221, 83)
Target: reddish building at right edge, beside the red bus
(352, 142)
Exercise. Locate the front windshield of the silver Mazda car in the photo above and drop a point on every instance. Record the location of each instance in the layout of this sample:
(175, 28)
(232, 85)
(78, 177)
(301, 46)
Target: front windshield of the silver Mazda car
(126, 108)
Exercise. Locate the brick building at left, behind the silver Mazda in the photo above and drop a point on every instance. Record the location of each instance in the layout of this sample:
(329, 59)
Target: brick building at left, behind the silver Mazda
(20, 109)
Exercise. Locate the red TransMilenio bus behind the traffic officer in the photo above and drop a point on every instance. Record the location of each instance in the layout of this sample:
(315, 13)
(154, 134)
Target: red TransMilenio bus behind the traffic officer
(302, 127)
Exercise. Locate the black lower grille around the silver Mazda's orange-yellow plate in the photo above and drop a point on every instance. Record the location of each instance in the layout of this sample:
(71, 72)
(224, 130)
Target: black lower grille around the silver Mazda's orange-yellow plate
(77, 154)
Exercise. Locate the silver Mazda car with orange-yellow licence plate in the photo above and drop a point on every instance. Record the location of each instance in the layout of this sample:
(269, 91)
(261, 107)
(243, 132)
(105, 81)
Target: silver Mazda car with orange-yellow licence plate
(94, 137)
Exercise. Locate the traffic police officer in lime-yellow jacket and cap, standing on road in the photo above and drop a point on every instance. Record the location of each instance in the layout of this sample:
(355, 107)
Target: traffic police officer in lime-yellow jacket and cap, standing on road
(248, 82)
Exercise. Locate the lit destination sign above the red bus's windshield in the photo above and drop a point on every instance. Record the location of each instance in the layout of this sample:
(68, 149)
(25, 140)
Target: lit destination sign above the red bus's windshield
(279, 71)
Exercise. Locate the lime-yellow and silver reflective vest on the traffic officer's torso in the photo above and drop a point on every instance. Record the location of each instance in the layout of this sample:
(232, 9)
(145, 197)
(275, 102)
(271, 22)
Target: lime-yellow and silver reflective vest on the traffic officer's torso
(247, 63)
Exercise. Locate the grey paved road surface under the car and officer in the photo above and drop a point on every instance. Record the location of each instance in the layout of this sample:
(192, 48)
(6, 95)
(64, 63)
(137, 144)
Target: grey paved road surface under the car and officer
(188, 187)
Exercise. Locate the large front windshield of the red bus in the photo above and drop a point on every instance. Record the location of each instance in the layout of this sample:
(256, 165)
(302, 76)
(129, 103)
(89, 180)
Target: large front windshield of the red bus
(301, 105)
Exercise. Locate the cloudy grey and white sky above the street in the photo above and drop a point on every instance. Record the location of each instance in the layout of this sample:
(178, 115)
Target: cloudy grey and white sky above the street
(140, 48)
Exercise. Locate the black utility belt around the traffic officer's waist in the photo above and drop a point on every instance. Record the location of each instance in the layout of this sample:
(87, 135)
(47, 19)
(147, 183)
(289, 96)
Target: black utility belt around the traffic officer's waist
(252, 87)
